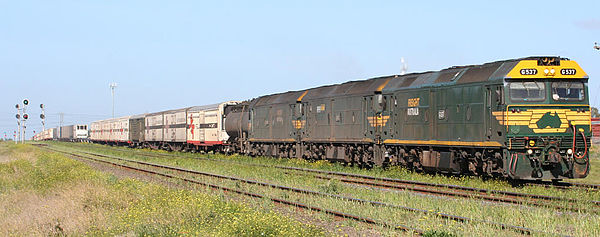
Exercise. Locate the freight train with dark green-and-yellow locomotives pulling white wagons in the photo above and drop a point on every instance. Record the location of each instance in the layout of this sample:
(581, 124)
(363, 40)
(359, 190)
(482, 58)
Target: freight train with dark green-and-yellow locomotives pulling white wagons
(526, 118)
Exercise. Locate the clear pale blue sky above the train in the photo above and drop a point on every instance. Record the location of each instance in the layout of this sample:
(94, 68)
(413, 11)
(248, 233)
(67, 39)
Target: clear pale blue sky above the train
(173, 54)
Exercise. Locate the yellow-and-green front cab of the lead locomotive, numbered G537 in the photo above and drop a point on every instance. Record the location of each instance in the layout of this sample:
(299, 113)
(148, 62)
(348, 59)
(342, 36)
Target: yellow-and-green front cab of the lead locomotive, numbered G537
(547, 120)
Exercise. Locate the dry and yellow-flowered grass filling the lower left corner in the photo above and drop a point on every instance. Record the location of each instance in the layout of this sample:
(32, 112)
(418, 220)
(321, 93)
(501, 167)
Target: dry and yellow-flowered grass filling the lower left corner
(45, 193)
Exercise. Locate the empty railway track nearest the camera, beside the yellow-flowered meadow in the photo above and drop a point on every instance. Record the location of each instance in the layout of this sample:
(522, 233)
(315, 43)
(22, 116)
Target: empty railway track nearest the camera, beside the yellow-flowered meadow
(518, 229)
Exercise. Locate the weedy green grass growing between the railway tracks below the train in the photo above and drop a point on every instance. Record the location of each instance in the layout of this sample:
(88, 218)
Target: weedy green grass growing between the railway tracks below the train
(544, 219)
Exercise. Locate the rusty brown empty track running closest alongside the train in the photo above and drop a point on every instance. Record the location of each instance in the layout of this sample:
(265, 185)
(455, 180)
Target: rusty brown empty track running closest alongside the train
(448, 190)
